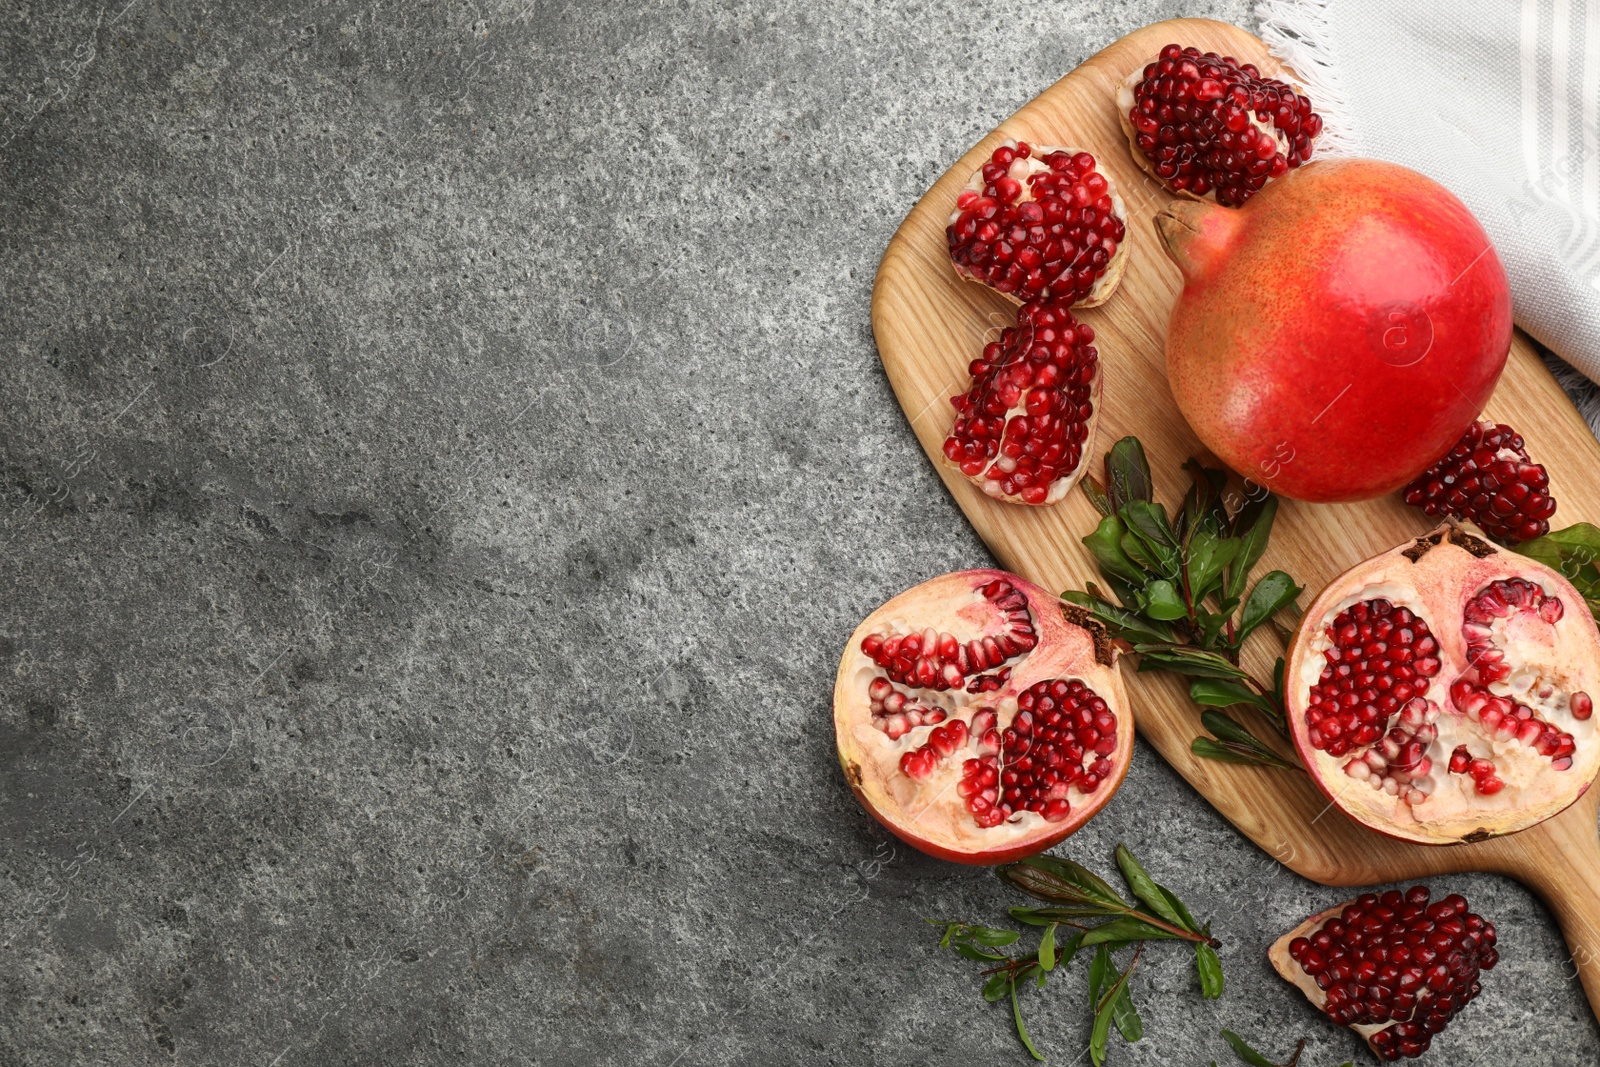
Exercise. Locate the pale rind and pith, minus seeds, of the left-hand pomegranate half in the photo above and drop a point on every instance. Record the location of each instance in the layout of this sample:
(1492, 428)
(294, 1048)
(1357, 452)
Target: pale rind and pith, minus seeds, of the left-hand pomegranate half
(929, 815)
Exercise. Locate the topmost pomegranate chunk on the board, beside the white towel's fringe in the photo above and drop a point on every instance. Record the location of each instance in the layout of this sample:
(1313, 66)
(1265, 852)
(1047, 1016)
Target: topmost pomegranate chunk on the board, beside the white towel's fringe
(1214, 127)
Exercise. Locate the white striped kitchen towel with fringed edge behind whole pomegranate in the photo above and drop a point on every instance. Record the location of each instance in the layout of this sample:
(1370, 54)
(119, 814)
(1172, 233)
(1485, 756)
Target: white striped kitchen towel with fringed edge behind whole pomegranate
(1498, 102)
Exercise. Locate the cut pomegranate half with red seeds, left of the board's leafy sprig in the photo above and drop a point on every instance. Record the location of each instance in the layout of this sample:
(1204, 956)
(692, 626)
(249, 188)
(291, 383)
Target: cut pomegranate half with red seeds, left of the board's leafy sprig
(982, 719)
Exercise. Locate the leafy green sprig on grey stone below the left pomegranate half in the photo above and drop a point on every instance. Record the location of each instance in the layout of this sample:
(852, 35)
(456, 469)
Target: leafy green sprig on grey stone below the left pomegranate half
(1100, 919)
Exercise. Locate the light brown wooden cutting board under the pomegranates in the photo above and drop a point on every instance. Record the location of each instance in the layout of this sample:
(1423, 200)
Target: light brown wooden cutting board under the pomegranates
(929, 329)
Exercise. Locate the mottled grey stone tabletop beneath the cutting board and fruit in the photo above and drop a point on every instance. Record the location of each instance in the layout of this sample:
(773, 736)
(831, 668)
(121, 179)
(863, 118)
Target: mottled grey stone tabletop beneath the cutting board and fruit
(444, 455)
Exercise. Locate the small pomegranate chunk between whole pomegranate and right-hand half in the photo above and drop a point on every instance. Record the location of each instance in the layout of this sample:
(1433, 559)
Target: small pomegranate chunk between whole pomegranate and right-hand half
(1489, 479)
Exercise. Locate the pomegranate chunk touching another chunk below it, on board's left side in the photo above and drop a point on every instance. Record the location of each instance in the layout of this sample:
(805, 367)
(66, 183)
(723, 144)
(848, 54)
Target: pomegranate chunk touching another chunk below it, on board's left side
(1041, 225)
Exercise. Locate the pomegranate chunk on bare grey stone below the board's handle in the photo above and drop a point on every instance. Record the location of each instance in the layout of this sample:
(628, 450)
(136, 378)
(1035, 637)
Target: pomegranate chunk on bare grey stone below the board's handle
(1396, 969)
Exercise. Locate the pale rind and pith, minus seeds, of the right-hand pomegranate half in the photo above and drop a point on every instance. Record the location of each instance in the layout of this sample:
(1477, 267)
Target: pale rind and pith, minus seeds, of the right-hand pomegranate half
(1436, 577)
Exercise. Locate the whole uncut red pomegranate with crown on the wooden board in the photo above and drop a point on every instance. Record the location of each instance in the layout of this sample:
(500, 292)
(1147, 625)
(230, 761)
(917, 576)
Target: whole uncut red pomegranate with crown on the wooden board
(1340, 332)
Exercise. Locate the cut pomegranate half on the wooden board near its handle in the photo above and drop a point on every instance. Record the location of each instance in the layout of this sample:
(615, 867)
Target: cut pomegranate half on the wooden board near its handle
(1444, 692)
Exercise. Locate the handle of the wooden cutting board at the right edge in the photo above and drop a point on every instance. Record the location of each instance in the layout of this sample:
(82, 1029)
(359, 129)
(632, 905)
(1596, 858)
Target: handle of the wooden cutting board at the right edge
(1566, 874)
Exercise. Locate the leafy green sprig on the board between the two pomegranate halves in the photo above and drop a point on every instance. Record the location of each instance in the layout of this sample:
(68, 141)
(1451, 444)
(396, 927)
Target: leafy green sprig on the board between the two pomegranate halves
(1178, 591)
